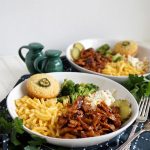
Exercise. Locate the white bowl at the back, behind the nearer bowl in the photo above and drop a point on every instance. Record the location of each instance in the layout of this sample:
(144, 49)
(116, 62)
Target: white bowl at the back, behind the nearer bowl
(144, 51)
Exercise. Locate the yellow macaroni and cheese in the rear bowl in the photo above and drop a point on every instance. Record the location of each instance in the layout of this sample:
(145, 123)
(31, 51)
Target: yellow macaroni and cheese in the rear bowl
(121, 68)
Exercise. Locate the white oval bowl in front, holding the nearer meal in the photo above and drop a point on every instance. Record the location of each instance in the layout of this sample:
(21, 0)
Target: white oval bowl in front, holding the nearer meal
(102, 82)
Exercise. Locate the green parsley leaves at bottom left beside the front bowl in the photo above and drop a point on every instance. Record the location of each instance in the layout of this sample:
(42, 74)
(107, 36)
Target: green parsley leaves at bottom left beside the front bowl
(14, 128)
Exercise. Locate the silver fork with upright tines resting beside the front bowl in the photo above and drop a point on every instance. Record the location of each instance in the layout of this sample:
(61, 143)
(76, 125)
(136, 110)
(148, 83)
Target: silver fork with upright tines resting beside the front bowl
(144, 106)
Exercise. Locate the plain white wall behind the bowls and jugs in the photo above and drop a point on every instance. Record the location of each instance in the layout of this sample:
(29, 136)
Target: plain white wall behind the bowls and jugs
(57, 23)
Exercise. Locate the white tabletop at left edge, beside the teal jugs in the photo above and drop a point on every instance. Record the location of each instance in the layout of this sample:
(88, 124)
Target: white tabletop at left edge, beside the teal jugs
(11, 69)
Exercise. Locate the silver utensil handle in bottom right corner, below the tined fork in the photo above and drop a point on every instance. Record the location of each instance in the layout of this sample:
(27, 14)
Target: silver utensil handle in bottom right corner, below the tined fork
(146, 128)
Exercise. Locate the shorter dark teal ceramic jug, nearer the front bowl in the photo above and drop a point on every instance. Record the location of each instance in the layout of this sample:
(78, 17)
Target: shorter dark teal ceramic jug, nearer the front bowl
(50, 62)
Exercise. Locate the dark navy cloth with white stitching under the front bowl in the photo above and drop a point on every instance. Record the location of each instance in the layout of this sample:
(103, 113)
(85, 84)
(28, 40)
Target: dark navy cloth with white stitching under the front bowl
(140, 143)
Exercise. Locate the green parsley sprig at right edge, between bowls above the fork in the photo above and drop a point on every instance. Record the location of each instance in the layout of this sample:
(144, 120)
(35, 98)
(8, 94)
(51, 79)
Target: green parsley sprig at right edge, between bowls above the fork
(138, 85)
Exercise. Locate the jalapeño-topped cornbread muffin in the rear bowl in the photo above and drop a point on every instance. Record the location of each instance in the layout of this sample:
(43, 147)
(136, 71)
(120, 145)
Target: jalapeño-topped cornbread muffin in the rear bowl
(126, 48)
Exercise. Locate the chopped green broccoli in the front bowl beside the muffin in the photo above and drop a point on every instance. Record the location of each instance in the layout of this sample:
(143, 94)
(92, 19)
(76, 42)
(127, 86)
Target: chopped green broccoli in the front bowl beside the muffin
(69, 88)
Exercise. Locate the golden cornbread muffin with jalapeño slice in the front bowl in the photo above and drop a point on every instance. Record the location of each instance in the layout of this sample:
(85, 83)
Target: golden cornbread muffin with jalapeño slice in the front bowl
(42, 86)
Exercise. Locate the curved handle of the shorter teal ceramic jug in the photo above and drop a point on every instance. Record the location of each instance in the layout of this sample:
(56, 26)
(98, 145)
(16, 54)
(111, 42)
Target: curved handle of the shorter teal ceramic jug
(38, 61)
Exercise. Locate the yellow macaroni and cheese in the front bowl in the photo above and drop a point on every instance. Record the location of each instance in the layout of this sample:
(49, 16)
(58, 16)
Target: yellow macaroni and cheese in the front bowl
(40, 115)
